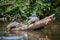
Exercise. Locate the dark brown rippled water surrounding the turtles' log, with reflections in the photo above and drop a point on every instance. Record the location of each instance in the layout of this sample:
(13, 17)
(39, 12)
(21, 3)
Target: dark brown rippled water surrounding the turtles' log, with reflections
(50, 32)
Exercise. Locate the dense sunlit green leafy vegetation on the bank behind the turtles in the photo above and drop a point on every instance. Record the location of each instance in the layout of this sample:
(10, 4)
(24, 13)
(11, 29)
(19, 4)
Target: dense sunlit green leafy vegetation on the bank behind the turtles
(22, 9)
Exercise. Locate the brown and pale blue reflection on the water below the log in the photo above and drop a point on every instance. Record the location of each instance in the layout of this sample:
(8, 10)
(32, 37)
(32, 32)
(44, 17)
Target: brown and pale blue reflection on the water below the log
(24, 35)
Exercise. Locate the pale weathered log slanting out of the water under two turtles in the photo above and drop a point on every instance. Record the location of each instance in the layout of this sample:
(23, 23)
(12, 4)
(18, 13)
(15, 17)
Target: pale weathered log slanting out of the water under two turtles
(38, 24)
